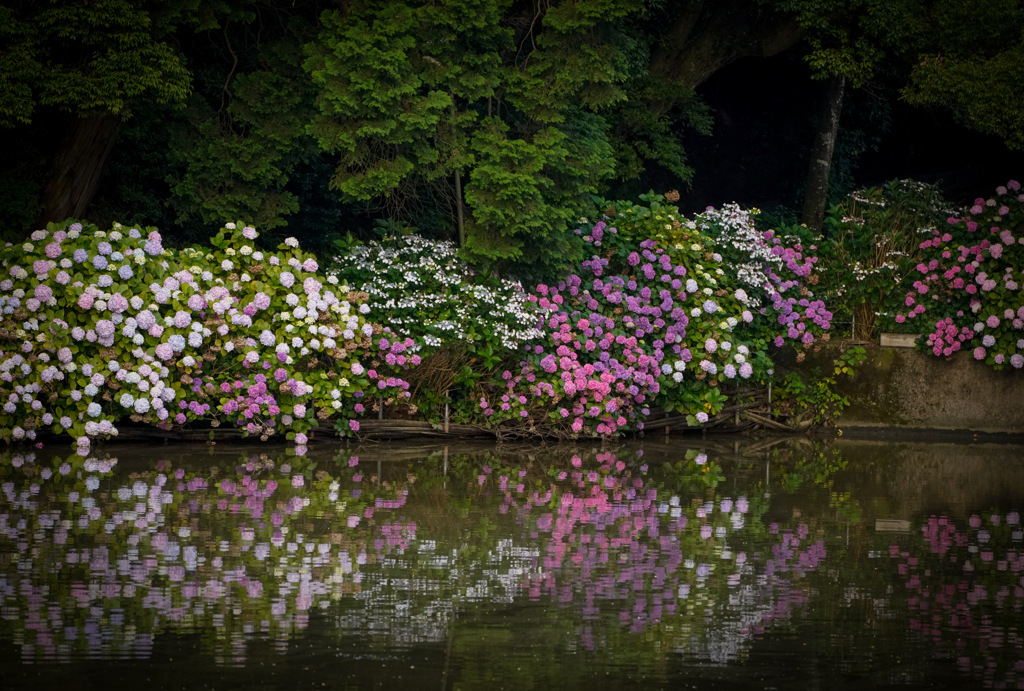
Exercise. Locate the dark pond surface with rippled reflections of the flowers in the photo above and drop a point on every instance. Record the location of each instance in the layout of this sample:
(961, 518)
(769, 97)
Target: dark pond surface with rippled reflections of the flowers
(781, 565)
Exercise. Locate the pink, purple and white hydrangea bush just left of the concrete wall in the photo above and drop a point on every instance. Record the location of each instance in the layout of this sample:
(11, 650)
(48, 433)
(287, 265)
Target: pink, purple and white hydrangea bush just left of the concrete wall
(659, 317)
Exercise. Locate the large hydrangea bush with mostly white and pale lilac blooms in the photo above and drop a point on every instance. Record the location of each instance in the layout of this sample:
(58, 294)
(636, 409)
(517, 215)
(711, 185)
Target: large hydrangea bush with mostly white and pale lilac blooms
(103, 326)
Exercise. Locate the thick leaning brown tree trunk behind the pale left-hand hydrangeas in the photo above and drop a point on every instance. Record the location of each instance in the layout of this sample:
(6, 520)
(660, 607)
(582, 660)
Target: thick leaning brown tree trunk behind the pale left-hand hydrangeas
(79, 167)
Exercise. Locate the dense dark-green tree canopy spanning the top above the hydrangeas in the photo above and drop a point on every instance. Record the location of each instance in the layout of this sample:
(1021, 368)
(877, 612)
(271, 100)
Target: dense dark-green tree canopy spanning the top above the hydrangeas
(495, 123)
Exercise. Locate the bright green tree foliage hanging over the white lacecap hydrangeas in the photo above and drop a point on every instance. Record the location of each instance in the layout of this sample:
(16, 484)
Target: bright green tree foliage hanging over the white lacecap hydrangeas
(508, 111)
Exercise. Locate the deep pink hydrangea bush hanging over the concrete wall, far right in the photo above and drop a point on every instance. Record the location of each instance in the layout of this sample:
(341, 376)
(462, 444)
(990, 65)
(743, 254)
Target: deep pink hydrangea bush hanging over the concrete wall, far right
(968, 289)
